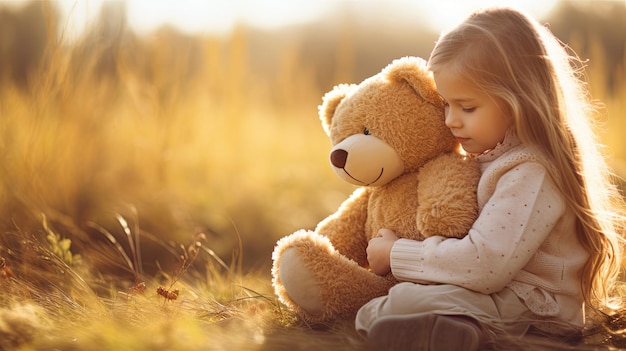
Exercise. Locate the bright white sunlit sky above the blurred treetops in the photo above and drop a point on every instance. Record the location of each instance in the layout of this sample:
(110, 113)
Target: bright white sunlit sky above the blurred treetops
(220, 16)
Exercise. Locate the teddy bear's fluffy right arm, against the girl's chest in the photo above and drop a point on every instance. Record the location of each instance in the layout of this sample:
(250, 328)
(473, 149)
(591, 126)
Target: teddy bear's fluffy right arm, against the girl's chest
(447, 196)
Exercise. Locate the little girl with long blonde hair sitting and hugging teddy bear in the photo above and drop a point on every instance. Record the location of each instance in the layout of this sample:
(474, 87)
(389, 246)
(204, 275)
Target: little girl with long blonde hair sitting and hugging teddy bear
(547, 241)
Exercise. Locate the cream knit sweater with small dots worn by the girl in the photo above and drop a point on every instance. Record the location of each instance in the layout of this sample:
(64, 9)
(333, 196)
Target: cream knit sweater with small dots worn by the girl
(524, 239)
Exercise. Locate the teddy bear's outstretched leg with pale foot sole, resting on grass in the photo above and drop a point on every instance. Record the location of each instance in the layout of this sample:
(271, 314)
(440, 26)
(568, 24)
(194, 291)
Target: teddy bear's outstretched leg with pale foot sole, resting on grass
(319, 283)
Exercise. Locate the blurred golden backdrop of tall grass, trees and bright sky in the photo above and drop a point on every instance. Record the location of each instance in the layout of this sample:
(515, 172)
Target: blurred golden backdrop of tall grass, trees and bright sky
(186, 117)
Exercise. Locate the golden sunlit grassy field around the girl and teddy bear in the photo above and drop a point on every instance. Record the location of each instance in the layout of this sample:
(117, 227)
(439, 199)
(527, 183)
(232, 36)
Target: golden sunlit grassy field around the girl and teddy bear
(144, 182)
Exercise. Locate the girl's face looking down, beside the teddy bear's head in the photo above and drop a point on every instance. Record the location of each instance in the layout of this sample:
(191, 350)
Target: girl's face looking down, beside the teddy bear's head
(475, 119)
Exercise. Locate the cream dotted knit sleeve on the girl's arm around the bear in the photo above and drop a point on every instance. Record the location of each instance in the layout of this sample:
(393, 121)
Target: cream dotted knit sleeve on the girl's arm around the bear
(512, 225)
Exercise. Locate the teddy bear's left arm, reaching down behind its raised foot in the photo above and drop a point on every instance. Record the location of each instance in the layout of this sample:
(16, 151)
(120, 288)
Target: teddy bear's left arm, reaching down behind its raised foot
(346, 228)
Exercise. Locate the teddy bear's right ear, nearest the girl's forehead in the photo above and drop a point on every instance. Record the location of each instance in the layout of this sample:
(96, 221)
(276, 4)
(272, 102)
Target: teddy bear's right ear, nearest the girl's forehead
(414, 71)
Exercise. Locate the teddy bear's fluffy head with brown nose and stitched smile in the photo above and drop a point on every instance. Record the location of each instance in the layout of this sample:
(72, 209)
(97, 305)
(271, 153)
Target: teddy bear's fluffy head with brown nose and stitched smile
(390, 124)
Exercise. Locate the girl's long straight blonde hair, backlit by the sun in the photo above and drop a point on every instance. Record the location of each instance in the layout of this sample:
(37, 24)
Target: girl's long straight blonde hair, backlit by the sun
(523, 67)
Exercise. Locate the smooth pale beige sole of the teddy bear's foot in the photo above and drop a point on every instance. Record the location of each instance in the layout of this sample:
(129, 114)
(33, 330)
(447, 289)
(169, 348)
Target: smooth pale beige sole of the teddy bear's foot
(299, 282)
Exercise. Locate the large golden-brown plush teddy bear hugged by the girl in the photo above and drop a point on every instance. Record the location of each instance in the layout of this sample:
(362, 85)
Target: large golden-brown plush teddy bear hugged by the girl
(390, 139)
